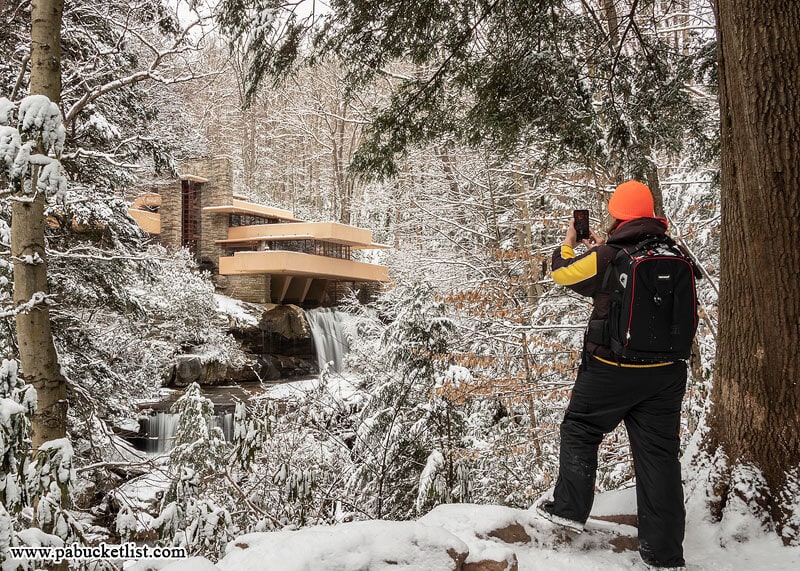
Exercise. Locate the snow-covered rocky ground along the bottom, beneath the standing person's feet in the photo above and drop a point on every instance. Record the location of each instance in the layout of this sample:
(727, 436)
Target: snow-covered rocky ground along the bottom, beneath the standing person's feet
(488, 533)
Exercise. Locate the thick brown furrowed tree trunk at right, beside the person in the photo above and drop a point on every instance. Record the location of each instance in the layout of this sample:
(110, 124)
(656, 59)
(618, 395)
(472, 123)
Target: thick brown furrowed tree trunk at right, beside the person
(756, 396)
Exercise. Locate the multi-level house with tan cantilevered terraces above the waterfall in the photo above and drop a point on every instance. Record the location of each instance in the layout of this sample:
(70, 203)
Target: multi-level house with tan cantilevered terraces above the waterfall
(257, 253)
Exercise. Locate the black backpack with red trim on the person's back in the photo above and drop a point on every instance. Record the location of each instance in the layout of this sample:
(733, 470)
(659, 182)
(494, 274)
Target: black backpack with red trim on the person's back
(652, 315)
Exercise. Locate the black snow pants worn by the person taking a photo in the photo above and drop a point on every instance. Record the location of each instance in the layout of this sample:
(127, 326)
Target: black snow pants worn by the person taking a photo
(648, 400)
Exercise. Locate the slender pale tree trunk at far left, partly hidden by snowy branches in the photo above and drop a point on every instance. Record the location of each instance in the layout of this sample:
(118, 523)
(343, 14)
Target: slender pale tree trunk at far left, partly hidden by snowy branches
(37, 353)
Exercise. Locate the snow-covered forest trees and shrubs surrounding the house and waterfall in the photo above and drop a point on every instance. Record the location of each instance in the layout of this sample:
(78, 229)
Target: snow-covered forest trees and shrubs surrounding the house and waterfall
(463, 134)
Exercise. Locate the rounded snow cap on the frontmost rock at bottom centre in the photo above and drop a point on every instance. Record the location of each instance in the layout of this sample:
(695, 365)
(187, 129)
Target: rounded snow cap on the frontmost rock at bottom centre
(375, 545)
